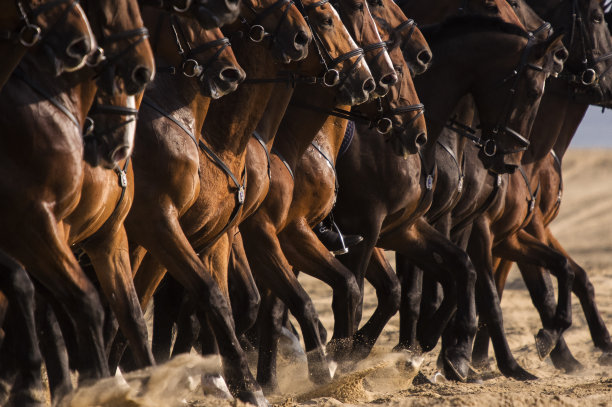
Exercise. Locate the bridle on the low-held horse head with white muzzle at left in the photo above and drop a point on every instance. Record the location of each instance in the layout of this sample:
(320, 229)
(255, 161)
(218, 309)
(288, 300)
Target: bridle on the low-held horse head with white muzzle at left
(93, 136)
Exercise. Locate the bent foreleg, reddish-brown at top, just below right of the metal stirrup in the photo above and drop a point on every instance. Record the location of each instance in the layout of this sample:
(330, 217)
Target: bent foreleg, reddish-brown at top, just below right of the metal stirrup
(388, 293)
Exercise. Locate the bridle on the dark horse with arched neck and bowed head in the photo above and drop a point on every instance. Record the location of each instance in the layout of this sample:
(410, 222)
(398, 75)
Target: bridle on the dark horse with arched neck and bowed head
(489, 145)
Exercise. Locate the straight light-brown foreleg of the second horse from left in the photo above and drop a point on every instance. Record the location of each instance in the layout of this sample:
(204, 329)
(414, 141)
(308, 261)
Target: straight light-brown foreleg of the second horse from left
(110, 258)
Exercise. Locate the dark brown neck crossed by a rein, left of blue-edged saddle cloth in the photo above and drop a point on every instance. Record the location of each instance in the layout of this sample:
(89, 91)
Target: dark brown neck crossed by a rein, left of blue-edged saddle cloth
(300, 125)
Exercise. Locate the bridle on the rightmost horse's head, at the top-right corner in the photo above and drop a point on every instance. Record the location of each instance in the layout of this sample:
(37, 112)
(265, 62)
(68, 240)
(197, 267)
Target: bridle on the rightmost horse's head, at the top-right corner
(588, 76)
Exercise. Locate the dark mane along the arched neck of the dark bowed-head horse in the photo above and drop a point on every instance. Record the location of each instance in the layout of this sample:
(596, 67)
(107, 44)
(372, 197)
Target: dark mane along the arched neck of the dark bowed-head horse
(470, 24)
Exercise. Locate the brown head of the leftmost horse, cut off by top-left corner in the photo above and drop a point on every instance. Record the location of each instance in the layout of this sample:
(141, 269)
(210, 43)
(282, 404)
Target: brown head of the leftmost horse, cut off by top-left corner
(62, 25)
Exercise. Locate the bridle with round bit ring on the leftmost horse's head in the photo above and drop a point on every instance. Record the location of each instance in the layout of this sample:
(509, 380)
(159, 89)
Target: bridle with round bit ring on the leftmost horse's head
(29, 33)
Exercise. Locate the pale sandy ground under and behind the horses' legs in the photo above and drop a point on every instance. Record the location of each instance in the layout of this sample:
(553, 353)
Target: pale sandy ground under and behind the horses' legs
(584, 226)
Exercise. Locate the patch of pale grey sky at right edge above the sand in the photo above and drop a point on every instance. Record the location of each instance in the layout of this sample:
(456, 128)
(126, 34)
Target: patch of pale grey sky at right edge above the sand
(595, 130)
